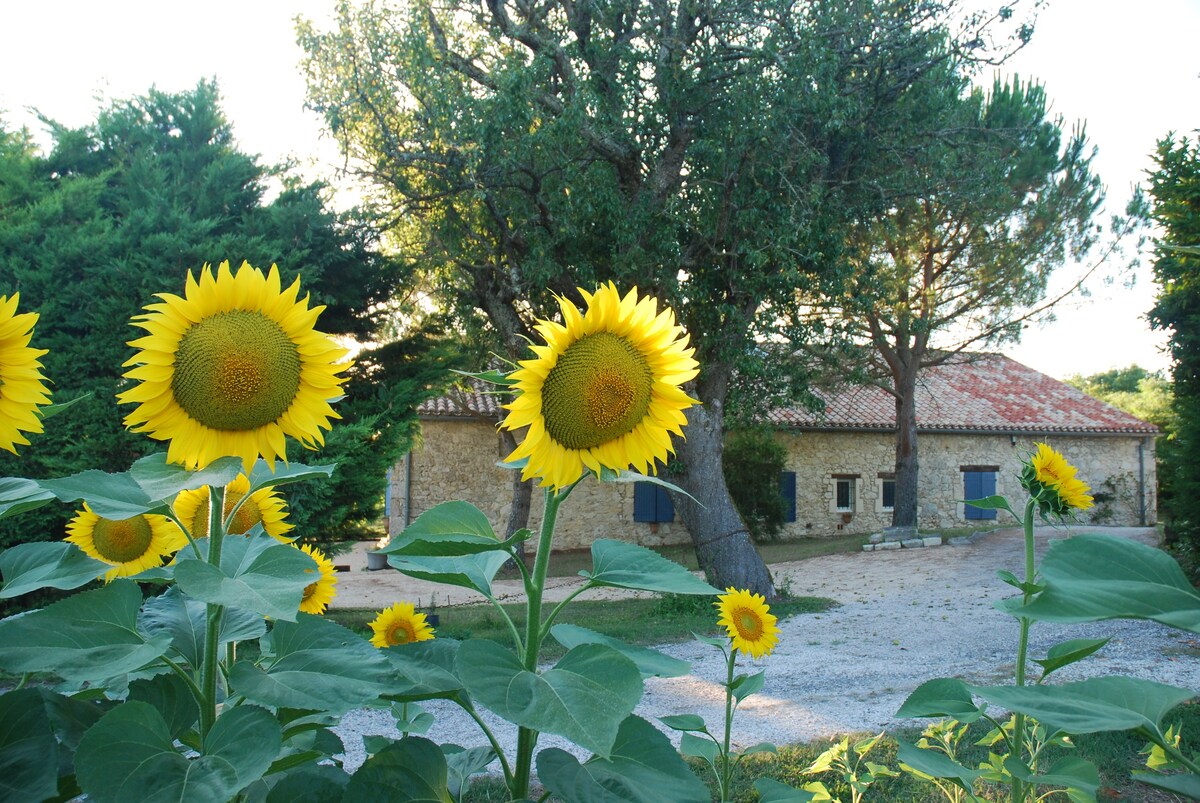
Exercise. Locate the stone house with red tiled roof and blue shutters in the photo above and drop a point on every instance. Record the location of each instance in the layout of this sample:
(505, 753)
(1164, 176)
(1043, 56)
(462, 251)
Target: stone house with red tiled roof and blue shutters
(976, 421)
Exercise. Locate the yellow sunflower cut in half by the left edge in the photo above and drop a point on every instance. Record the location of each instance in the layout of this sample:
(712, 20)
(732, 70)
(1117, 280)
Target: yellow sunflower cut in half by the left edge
(22, 385)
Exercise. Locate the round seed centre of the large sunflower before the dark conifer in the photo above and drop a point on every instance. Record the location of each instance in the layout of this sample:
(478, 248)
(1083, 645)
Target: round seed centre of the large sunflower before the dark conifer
(236, 371)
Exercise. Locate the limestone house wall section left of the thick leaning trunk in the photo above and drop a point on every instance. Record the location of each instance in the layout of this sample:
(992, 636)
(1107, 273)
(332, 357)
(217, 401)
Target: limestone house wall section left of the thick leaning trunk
(457, 460)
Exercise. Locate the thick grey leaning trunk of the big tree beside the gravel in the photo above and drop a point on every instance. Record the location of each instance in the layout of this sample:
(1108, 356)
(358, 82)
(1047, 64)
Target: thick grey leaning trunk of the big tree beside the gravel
(723, 542)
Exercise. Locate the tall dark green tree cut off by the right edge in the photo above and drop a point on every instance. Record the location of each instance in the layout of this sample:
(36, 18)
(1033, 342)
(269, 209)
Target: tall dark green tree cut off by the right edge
(1175, 194)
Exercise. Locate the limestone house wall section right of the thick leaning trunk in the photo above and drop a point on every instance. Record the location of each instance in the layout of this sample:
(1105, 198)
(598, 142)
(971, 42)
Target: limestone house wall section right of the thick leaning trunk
(1109, 464)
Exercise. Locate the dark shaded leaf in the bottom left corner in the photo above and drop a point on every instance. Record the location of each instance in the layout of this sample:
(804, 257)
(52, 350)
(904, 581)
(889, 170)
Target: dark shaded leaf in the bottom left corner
(29, 764)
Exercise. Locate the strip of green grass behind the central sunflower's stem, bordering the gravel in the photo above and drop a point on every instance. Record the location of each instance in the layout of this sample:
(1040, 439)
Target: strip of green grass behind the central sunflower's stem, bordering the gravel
(650, 621)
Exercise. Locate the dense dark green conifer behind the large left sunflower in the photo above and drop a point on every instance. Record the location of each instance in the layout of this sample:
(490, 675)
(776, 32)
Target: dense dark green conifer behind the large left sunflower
(121, 211)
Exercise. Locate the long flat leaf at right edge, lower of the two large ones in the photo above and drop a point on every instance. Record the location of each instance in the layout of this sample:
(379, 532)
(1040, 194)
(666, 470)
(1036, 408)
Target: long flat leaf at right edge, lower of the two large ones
(1103, 704)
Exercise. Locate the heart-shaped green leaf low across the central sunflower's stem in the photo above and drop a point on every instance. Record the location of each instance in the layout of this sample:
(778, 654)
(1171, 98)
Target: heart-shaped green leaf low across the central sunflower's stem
(585, 698)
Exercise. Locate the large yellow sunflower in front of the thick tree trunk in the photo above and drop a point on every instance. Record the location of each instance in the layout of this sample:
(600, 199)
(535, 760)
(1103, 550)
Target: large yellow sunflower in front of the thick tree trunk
(604, 391)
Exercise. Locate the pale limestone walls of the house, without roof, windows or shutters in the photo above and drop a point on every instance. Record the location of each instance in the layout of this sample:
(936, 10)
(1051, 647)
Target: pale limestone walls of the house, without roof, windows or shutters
(457, 460)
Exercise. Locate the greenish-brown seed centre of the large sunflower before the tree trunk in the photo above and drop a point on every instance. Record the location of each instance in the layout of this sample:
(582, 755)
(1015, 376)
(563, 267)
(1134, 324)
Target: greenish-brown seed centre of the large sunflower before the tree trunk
(598, 392)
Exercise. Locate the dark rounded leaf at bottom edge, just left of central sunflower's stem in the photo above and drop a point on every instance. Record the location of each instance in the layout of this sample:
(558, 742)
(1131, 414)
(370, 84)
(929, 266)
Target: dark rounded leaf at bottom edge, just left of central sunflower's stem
(410, 770)
